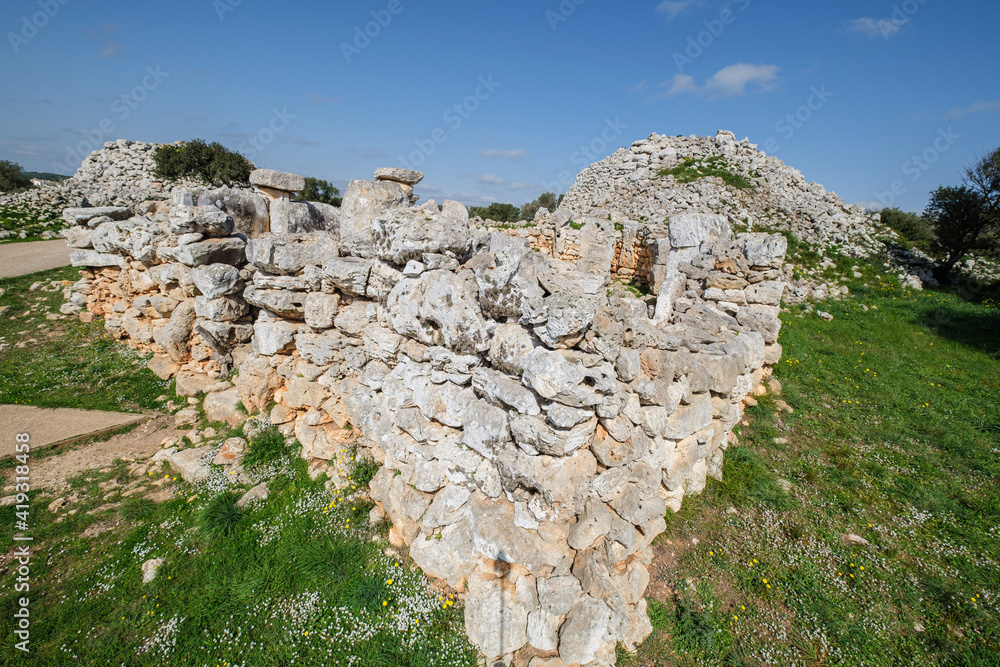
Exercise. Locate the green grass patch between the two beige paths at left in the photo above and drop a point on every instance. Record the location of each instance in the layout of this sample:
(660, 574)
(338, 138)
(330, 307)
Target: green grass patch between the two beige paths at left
(66, 363)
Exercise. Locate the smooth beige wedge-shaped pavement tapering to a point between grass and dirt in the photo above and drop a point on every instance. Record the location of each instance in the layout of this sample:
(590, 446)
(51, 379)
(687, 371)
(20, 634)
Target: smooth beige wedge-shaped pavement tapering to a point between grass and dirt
(47, 426)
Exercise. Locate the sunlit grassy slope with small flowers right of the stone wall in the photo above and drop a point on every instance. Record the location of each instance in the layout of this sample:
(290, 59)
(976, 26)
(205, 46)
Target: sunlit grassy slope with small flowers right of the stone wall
(895, 437)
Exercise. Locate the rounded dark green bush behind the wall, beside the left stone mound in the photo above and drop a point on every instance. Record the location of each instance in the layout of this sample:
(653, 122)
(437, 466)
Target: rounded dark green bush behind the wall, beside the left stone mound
(211, 163)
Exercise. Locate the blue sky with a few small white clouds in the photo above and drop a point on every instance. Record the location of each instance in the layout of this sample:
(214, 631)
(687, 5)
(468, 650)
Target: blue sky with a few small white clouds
(501, 100)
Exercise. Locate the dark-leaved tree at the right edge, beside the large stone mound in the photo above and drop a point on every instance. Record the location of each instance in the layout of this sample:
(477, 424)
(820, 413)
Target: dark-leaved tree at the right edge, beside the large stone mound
(967, 218)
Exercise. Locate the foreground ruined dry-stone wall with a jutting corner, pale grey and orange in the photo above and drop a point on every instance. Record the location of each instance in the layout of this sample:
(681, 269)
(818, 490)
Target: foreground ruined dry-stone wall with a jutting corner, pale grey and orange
(533, 419)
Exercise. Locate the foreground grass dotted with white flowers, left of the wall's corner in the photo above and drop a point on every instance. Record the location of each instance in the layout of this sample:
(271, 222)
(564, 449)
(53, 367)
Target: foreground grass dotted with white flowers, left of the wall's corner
(299, 578)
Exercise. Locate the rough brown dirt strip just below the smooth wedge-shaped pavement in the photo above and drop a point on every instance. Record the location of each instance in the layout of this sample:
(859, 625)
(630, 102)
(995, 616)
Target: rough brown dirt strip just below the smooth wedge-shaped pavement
(52, 472)
